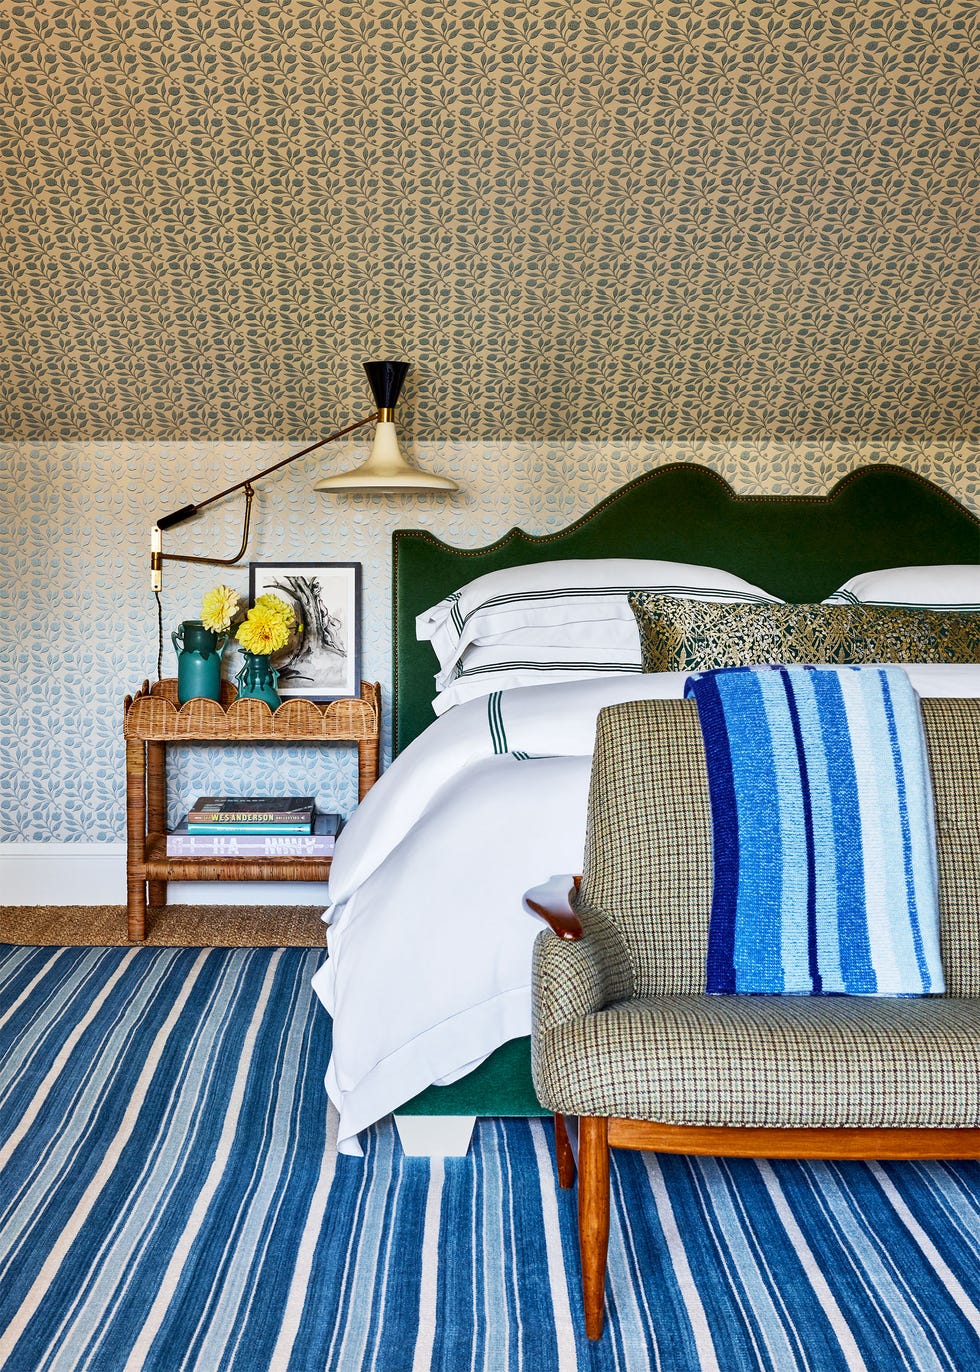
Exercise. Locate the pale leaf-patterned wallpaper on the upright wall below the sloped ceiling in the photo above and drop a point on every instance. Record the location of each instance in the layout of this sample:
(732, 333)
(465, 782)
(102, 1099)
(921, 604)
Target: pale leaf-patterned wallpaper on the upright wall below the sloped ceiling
(79, 618)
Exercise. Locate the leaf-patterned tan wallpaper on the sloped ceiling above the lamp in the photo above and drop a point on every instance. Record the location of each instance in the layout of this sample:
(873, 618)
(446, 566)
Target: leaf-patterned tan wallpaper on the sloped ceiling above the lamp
(594, 220)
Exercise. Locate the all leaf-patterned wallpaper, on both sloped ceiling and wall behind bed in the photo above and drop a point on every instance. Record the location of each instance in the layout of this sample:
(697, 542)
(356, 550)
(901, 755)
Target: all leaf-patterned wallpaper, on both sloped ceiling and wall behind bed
(607, 235)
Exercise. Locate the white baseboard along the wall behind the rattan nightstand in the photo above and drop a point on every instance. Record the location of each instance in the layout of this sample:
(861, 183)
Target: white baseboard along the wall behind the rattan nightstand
(95, 875)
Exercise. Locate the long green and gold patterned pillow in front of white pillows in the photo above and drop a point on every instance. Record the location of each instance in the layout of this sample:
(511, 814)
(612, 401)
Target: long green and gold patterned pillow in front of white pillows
(697, 636)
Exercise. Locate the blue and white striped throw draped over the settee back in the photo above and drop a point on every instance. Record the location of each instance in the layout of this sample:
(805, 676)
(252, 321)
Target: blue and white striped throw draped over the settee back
(824, 835)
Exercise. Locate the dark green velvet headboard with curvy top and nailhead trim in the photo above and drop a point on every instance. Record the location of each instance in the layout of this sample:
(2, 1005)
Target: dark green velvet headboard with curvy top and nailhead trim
(797, 547)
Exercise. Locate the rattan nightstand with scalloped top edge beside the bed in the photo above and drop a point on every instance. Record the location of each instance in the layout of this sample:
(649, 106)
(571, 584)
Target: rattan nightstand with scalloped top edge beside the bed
(153, 720)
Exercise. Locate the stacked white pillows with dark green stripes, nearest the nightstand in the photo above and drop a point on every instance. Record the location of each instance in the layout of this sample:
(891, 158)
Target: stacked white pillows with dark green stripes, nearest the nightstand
(559, 621)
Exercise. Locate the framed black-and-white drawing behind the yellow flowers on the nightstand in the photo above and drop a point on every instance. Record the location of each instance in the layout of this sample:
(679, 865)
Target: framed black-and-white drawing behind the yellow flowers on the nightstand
(323, 658)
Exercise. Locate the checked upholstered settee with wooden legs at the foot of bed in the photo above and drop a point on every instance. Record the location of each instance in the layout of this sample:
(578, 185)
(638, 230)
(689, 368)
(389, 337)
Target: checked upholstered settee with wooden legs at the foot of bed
(628, 1043)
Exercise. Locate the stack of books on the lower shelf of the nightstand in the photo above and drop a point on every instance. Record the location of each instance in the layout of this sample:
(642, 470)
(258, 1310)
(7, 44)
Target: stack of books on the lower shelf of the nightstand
(255, 827)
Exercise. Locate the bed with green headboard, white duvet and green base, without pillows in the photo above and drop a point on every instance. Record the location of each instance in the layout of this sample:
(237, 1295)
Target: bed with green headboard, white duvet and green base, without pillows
(429, 978)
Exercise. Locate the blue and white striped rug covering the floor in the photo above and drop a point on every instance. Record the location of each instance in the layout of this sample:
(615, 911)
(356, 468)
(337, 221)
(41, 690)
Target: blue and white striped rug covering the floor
(171, 1198)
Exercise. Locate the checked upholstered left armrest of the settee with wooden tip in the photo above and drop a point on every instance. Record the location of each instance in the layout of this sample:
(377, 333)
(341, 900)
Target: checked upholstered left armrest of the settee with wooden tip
(581, 962)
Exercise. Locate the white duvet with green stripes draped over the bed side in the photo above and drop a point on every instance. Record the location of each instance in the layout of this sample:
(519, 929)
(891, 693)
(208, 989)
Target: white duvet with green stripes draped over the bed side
(430, 949)
